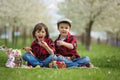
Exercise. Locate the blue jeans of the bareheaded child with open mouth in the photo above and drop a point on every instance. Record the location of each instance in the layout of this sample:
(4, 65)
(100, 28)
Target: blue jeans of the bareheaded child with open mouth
(35, 61)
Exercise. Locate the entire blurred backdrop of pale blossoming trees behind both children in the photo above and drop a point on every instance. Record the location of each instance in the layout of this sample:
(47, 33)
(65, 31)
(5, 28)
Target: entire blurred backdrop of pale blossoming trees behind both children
(18, 17)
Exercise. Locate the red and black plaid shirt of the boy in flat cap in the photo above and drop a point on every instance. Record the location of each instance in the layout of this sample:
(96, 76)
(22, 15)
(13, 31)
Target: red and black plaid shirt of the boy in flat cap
(64, 51)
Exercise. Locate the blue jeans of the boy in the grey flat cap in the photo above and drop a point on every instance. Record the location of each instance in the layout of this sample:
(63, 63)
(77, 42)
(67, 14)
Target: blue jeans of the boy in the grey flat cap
(77, 62)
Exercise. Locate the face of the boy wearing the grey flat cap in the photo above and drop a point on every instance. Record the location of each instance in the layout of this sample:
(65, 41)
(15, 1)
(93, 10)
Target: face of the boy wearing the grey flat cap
(64, 29)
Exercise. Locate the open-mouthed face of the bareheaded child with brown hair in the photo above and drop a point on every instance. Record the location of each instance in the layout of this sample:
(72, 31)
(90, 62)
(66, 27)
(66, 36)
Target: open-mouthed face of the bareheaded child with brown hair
(40, 34)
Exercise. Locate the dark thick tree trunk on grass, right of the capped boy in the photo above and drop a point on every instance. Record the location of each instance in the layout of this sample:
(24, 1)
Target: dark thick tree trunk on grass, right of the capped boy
(88, 36)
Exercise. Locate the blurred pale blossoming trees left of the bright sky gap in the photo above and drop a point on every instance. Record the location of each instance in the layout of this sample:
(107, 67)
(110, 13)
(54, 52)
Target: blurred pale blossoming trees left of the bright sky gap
(19, 17)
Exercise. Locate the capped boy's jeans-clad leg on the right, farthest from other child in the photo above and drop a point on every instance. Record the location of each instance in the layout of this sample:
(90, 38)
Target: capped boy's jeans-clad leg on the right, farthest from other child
(82, 61)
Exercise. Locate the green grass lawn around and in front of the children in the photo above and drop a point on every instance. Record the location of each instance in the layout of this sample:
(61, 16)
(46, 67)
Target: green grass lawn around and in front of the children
(105, 58)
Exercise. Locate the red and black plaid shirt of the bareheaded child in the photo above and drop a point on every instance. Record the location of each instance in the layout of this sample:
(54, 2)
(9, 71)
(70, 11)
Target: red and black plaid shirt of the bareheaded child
(39, 51)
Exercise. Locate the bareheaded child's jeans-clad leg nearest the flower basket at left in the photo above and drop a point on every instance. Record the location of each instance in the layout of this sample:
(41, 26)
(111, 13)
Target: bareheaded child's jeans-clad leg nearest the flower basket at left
(31, 59)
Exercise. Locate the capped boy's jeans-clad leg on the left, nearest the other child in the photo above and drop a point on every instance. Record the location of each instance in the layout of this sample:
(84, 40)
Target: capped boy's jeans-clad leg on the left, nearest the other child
(69, 63)
